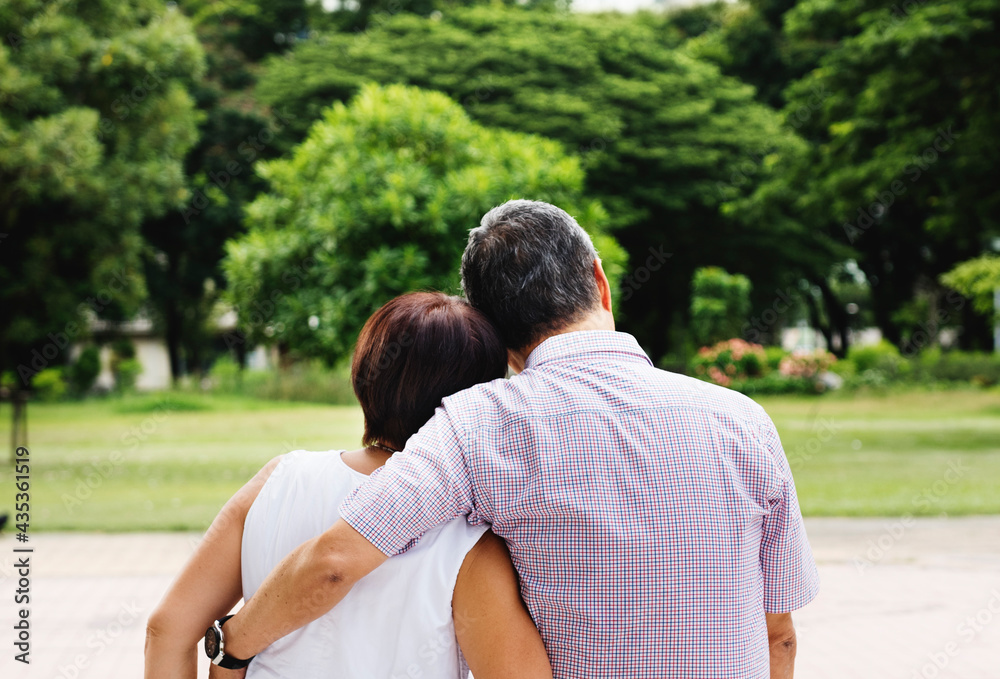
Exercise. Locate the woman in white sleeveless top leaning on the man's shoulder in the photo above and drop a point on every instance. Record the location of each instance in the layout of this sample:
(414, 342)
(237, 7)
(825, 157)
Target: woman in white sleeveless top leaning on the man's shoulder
(451, 599)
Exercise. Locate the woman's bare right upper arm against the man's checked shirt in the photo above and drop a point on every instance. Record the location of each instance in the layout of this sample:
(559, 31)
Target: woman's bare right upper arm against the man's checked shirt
(492, 624)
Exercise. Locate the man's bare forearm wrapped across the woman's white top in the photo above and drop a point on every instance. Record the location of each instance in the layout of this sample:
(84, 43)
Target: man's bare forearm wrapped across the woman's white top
(307, 583)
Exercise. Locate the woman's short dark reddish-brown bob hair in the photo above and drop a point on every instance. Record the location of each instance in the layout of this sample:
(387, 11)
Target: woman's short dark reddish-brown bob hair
(414, 351)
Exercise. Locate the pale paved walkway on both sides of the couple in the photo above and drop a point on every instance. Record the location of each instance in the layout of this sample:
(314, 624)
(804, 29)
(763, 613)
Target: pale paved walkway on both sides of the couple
(899, 601)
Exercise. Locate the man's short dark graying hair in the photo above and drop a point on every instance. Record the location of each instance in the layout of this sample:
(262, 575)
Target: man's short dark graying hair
(529, 266)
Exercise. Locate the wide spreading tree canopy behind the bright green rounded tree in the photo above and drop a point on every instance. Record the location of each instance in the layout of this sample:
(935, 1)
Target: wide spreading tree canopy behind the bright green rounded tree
(666, 140)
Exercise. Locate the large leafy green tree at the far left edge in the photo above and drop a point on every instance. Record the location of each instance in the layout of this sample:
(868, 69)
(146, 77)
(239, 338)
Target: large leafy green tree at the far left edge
(95, 120)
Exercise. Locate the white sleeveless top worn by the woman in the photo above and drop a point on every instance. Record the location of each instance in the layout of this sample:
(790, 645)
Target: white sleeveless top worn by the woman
(396, 623)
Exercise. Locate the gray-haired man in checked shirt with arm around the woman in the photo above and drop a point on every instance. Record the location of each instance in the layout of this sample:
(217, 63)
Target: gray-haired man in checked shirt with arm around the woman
(652, 518)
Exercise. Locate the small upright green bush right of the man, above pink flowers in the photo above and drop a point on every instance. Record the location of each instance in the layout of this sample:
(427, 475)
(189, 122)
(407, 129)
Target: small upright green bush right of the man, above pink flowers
(720, 304)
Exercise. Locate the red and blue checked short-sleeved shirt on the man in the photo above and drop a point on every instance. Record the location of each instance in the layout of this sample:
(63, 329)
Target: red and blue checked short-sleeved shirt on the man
(652, 517)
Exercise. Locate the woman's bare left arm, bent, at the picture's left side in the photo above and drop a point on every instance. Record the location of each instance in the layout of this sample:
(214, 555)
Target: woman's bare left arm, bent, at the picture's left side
(207, 588)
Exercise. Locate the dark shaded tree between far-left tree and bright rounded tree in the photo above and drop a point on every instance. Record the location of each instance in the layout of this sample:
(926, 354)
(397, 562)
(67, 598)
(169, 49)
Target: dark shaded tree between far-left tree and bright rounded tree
(185, 246)
